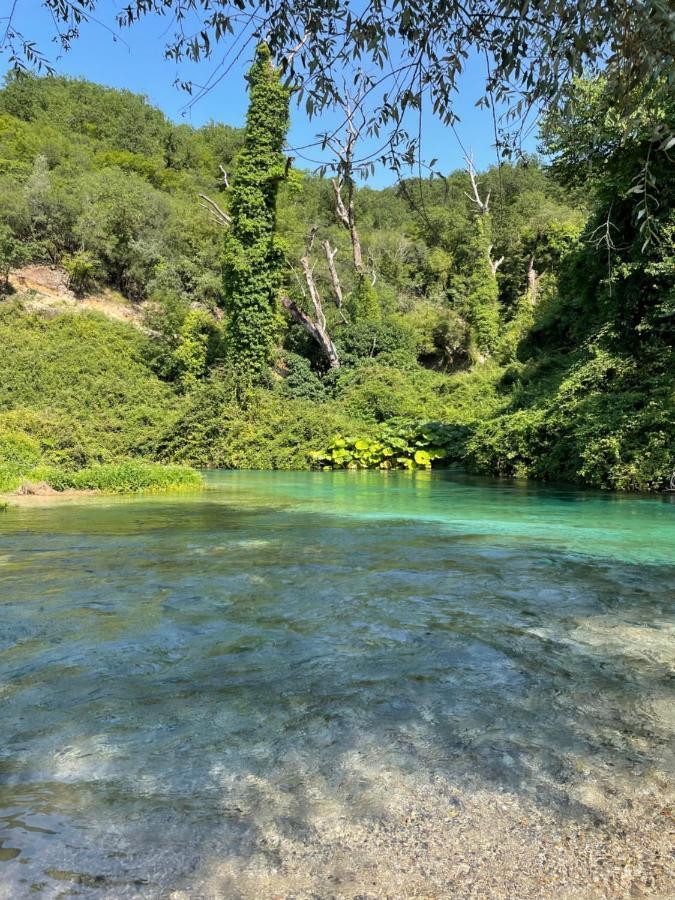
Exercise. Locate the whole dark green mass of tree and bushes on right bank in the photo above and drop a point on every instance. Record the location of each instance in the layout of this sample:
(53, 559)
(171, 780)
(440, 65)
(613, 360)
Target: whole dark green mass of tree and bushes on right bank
(595, 381)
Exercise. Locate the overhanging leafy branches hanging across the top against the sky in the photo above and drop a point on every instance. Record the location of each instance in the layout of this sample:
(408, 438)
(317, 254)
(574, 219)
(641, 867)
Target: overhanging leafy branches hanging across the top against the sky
(406, 53)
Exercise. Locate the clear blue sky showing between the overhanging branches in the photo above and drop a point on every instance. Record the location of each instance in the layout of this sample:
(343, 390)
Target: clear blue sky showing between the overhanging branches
(136, 61)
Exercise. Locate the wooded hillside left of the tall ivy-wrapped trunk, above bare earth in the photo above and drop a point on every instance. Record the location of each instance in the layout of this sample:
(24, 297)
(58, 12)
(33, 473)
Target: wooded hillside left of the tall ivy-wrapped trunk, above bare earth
(100, 181)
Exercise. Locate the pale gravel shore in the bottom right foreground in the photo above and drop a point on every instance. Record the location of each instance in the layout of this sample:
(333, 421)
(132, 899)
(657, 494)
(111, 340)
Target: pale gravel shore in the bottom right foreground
(427, 837)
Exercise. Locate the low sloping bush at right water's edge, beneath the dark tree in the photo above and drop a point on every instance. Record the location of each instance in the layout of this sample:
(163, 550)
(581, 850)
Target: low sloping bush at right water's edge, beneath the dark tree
(600, 422)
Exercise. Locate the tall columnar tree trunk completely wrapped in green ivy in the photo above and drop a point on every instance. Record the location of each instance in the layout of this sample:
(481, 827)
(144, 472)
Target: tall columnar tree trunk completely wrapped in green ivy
(254, 257)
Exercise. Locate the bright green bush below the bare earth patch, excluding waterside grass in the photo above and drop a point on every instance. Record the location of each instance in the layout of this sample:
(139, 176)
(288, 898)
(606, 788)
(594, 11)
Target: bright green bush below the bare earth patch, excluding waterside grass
(78, 384)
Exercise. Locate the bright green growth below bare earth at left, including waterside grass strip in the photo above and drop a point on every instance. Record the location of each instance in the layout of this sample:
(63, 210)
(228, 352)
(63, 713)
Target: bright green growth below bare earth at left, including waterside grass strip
(79, 408)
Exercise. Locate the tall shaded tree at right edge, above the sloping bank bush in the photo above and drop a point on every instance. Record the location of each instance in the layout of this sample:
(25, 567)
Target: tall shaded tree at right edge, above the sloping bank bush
(624, 270)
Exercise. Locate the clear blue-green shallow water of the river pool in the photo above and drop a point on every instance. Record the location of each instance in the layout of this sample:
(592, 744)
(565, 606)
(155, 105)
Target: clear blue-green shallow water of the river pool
(181, 675)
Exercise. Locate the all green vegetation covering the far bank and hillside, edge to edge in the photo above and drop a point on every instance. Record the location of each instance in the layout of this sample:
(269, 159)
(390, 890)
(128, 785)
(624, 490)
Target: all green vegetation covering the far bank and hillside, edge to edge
(558, 365)
